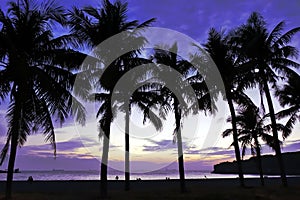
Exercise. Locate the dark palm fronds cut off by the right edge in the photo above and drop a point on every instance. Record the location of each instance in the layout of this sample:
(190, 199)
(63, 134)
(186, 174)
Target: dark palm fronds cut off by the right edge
(289, 96)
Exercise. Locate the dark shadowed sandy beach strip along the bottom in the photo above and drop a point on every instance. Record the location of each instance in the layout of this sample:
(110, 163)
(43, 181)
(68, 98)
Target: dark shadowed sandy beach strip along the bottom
(157, 189)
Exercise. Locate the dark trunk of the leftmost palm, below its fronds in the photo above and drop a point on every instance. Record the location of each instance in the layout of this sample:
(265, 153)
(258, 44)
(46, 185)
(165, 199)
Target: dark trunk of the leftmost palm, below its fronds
(11, 165)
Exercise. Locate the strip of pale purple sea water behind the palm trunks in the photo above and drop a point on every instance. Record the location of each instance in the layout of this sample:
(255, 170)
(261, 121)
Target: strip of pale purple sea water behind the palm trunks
(95, 175)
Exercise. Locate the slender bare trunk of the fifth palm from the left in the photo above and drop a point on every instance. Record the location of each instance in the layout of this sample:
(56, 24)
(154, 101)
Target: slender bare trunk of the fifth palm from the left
(235, 140)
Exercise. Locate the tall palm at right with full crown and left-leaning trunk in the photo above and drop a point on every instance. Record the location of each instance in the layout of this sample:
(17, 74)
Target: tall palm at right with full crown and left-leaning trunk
(268, 54)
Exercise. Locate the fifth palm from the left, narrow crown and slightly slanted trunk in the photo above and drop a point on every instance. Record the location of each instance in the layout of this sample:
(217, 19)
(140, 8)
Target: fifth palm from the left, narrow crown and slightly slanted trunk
(219, 48)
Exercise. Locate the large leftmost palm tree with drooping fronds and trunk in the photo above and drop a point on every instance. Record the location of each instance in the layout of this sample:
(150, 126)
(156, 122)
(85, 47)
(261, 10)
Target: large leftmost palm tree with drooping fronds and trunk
(36, 75)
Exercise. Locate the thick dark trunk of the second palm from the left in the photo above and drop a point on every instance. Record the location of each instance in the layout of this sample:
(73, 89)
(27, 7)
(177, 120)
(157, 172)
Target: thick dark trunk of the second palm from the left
(104, 163)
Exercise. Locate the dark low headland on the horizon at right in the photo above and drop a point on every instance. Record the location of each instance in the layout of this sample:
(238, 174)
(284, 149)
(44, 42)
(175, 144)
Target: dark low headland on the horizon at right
(269, 164)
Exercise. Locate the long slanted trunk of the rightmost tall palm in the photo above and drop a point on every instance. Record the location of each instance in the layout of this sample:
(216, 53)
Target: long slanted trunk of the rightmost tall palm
(275, 133)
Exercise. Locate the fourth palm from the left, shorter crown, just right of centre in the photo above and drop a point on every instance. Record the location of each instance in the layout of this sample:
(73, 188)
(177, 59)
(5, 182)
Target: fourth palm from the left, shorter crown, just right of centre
(174, 97)
